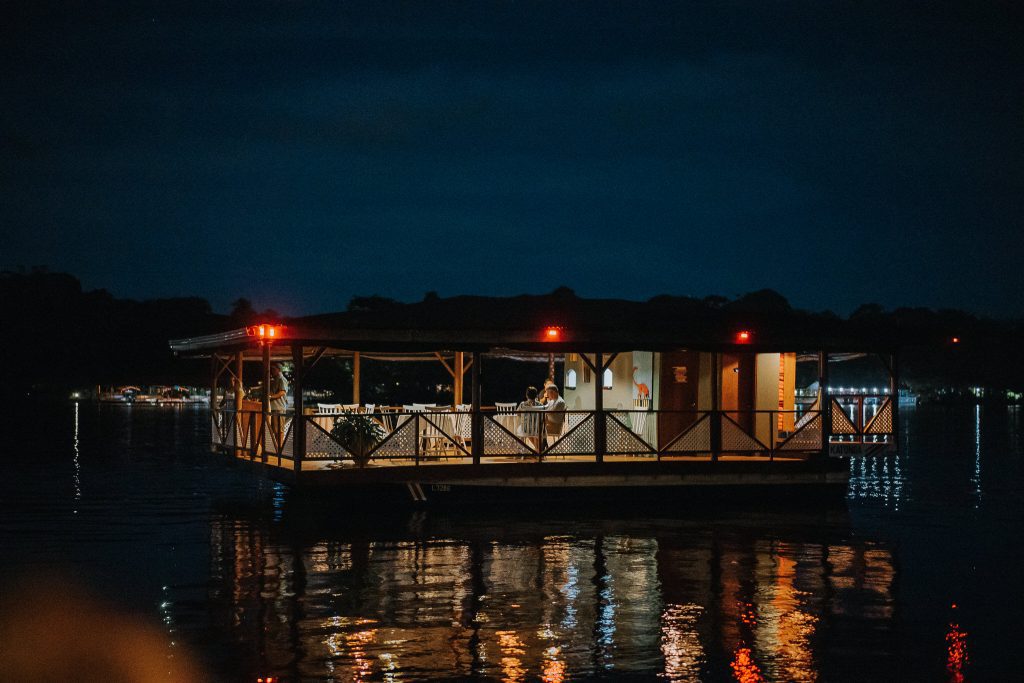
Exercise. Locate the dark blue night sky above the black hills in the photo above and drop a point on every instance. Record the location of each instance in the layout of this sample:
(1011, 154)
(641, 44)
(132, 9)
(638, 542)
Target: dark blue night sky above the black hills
(300, 154)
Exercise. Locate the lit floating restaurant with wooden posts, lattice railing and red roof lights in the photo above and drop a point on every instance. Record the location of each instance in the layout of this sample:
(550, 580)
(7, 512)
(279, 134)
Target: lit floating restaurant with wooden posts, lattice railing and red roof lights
(653, 398)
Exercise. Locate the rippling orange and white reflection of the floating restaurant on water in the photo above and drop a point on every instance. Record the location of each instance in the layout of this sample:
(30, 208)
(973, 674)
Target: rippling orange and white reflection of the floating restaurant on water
(682, 601)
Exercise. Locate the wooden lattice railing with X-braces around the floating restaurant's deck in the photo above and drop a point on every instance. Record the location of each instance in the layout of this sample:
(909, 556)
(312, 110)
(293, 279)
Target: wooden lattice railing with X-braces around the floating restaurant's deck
(396, 438)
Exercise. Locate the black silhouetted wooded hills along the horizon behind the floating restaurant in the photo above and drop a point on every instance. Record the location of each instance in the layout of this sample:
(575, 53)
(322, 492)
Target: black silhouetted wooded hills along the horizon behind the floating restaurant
(57, 337)
